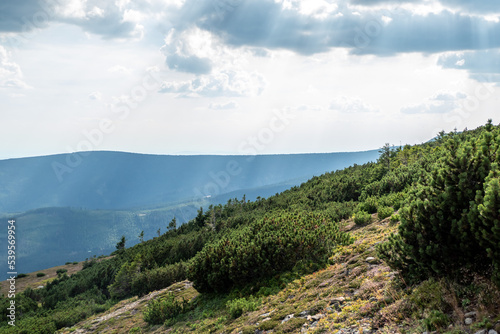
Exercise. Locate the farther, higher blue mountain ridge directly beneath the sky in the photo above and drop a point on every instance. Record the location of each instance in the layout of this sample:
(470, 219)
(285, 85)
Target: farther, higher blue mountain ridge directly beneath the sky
(115, 180)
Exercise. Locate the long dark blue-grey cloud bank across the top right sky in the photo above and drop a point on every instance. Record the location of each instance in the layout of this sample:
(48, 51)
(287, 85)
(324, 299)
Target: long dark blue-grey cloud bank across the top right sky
(285, 25)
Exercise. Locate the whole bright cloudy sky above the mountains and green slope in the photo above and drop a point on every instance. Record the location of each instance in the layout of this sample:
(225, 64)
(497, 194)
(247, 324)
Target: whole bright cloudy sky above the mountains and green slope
(243, 76)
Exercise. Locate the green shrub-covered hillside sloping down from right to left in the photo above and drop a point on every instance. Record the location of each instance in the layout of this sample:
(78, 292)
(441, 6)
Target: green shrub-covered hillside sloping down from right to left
(442, 199)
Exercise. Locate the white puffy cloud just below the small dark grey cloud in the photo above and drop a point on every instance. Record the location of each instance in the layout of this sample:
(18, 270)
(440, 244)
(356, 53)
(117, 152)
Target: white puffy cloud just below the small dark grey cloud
(223, 83)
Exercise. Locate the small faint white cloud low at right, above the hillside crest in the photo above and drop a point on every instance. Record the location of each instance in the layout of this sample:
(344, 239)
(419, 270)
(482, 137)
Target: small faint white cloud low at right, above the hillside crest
(441, 103)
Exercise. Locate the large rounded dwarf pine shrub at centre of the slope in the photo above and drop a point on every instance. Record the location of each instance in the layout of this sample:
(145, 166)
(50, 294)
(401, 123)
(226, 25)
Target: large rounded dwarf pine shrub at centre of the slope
(268, 247)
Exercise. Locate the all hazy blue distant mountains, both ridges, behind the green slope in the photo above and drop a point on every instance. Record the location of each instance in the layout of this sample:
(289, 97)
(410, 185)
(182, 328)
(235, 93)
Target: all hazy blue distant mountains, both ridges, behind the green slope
(69, 207)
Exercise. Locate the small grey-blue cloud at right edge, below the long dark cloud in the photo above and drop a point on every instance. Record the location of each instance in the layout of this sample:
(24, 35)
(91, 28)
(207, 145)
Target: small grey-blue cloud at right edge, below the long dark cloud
(483, 66)
